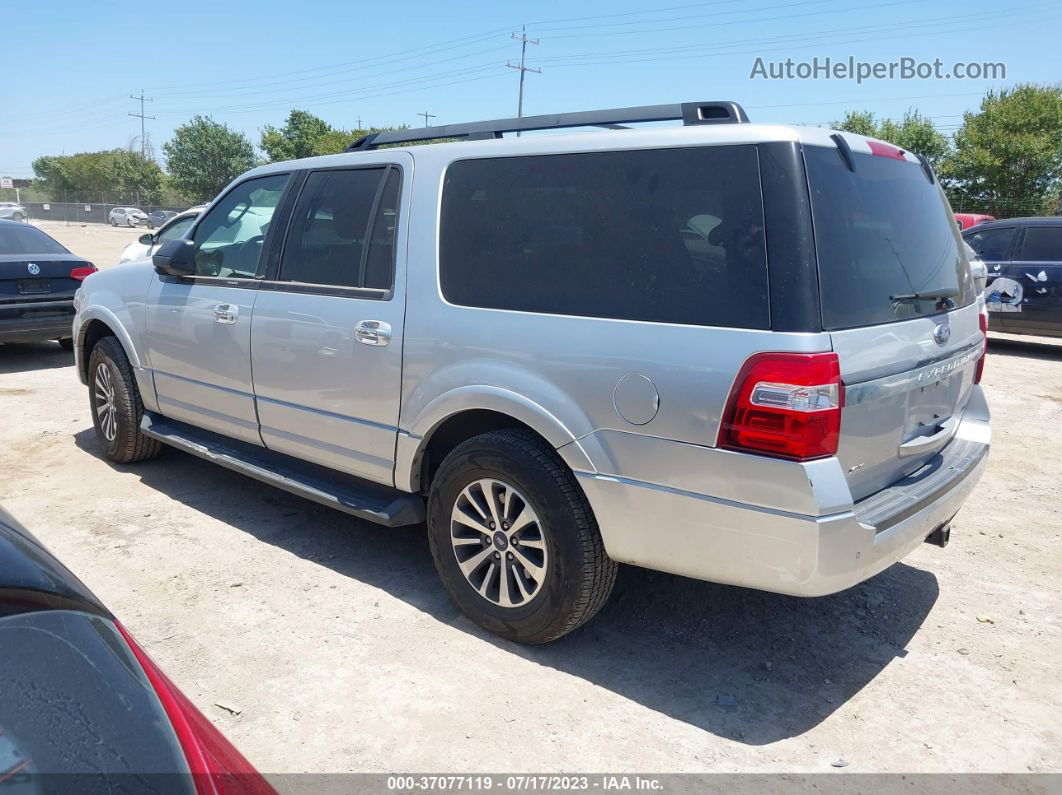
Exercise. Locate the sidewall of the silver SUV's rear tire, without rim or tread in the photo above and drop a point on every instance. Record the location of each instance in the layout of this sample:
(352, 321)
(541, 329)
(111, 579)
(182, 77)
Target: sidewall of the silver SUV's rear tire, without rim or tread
(559, 594)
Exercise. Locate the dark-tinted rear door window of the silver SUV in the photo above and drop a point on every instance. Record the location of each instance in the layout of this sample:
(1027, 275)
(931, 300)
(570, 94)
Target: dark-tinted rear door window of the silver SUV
(330, 229)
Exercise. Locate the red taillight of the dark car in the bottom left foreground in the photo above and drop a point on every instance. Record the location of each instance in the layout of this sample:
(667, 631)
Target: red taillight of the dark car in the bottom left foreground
(217, 767)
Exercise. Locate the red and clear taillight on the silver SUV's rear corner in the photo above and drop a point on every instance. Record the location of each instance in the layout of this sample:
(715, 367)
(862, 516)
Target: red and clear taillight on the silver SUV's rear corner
(786, 405)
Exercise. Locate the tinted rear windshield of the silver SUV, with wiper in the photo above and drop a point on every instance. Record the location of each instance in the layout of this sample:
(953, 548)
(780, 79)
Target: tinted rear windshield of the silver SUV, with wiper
(888, 249)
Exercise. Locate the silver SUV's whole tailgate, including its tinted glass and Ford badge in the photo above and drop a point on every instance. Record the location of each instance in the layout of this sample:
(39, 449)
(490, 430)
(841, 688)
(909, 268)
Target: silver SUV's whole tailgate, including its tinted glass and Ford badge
(899, 302)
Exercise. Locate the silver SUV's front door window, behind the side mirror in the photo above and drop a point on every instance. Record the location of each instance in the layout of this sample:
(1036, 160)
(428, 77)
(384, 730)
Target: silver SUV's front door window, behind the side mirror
(229, 240)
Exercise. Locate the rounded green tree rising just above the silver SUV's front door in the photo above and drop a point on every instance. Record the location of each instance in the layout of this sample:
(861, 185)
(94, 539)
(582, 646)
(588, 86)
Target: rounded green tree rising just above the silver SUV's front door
(204, 157)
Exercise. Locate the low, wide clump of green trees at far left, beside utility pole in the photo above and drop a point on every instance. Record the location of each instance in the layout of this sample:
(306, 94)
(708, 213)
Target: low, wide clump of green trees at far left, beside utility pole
(121, 175)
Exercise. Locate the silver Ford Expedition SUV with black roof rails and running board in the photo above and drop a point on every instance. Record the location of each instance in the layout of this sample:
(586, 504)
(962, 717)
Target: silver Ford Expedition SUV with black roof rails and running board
(746, 354)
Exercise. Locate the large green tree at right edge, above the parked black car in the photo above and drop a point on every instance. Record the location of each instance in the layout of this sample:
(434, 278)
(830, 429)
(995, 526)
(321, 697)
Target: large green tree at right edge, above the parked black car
(1008, 157)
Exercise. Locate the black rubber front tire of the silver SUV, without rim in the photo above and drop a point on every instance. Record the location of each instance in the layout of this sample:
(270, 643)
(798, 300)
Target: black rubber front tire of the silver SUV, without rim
(129, 444)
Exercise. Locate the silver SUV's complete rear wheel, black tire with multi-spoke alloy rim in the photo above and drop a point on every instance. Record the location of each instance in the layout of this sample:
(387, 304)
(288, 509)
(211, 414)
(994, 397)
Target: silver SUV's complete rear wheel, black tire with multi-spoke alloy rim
(515, 540)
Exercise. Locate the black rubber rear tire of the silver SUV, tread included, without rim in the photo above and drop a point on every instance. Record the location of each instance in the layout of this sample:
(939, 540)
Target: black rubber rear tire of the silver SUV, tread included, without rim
(580, 576)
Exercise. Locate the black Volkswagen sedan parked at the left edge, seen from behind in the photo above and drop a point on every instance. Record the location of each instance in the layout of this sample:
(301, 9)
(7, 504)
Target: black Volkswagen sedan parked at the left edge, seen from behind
(39, 279)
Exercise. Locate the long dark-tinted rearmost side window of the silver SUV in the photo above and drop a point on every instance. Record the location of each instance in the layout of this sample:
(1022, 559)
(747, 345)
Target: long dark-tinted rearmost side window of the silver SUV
(671, 236)
